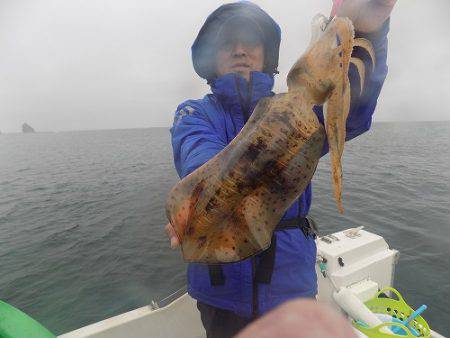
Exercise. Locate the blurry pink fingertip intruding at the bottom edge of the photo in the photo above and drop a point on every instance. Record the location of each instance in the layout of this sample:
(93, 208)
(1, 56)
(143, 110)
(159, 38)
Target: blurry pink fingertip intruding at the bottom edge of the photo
(300, 319)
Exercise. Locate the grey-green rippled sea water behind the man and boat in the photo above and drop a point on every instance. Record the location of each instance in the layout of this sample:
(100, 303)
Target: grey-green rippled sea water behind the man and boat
(82, 217)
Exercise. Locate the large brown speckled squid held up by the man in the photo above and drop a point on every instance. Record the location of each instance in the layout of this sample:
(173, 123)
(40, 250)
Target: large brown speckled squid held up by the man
(227, 209)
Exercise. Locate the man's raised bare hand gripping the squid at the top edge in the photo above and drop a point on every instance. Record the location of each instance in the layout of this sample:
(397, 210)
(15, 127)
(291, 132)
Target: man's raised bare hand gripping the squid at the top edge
(367, 15)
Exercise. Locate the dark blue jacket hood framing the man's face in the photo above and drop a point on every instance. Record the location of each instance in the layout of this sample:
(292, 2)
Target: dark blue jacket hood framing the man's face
(204, 48)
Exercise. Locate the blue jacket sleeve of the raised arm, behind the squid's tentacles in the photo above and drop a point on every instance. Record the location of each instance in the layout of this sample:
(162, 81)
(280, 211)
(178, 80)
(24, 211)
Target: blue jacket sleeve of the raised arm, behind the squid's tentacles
(363, 106)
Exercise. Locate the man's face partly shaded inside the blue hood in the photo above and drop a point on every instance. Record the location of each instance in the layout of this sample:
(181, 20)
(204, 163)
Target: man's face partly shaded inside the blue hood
(240, 57)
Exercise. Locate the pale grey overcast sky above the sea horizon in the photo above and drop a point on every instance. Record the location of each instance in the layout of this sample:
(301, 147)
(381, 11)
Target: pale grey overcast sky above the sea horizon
(102, 64)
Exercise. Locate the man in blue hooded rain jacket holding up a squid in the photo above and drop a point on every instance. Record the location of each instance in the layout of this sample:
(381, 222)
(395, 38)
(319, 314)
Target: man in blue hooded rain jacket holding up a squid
(236, 51)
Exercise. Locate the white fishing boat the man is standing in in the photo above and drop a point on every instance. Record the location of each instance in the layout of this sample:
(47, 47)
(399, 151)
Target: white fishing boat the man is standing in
(356, 260)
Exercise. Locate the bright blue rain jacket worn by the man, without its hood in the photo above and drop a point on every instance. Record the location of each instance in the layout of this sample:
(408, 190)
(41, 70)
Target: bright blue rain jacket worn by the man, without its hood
(204, 127)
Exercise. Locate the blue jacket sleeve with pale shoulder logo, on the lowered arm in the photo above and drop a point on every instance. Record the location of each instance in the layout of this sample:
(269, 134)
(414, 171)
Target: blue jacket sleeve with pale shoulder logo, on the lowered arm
(194, 139)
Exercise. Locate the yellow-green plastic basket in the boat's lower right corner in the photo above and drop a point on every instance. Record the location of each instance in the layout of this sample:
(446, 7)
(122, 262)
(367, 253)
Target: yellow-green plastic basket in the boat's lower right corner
(396, 308)
